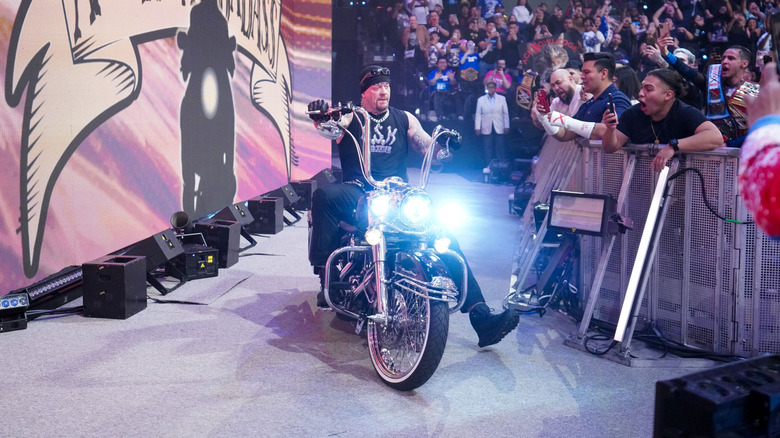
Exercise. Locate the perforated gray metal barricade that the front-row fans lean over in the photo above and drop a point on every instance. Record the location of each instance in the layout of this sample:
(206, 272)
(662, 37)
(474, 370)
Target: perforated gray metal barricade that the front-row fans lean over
(715, 285)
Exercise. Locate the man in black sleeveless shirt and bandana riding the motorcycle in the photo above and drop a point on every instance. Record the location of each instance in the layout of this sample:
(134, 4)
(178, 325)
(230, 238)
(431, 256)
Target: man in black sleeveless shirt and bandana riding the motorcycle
(393, 133)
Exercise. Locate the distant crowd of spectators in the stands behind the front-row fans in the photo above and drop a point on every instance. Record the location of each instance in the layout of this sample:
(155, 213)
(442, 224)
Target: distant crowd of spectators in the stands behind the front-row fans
(450, 50)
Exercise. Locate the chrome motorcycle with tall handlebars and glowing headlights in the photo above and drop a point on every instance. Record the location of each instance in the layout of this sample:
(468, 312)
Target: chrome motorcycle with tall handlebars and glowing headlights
(390, 273)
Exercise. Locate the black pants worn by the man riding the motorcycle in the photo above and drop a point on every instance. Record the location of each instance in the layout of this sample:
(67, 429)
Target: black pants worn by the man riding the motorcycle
(337, 202)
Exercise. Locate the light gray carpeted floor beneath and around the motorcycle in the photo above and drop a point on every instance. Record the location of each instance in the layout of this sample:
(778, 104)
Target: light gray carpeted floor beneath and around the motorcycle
(259, 360)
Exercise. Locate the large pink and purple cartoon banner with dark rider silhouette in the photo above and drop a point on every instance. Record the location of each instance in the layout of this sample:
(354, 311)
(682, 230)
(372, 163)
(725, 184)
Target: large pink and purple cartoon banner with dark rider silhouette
(119, 113)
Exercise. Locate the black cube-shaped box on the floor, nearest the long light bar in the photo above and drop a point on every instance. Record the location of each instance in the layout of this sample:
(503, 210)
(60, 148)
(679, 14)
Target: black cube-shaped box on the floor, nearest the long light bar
(114, 286)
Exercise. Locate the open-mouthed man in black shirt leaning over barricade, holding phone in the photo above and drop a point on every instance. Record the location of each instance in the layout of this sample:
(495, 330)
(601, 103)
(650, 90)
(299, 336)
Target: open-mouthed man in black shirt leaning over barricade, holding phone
(662, 119)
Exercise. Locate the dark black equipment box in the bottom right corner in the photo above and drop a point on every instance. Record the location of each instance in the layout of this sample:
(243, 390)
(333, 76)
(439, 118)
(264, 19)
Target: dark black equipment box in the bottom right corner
(737, 399)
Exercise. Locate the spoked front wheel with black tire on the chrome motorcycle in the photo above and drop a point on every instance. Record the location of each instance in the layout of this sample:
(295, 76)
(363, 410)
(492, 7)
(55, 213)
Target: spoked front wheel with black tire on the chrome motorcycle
(407, 350)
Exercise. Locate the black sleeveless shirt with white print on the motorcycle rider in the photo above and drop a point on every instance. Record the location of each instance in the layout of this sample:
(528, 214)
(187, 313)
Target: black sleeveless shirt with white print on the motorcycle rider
(389, 148)
